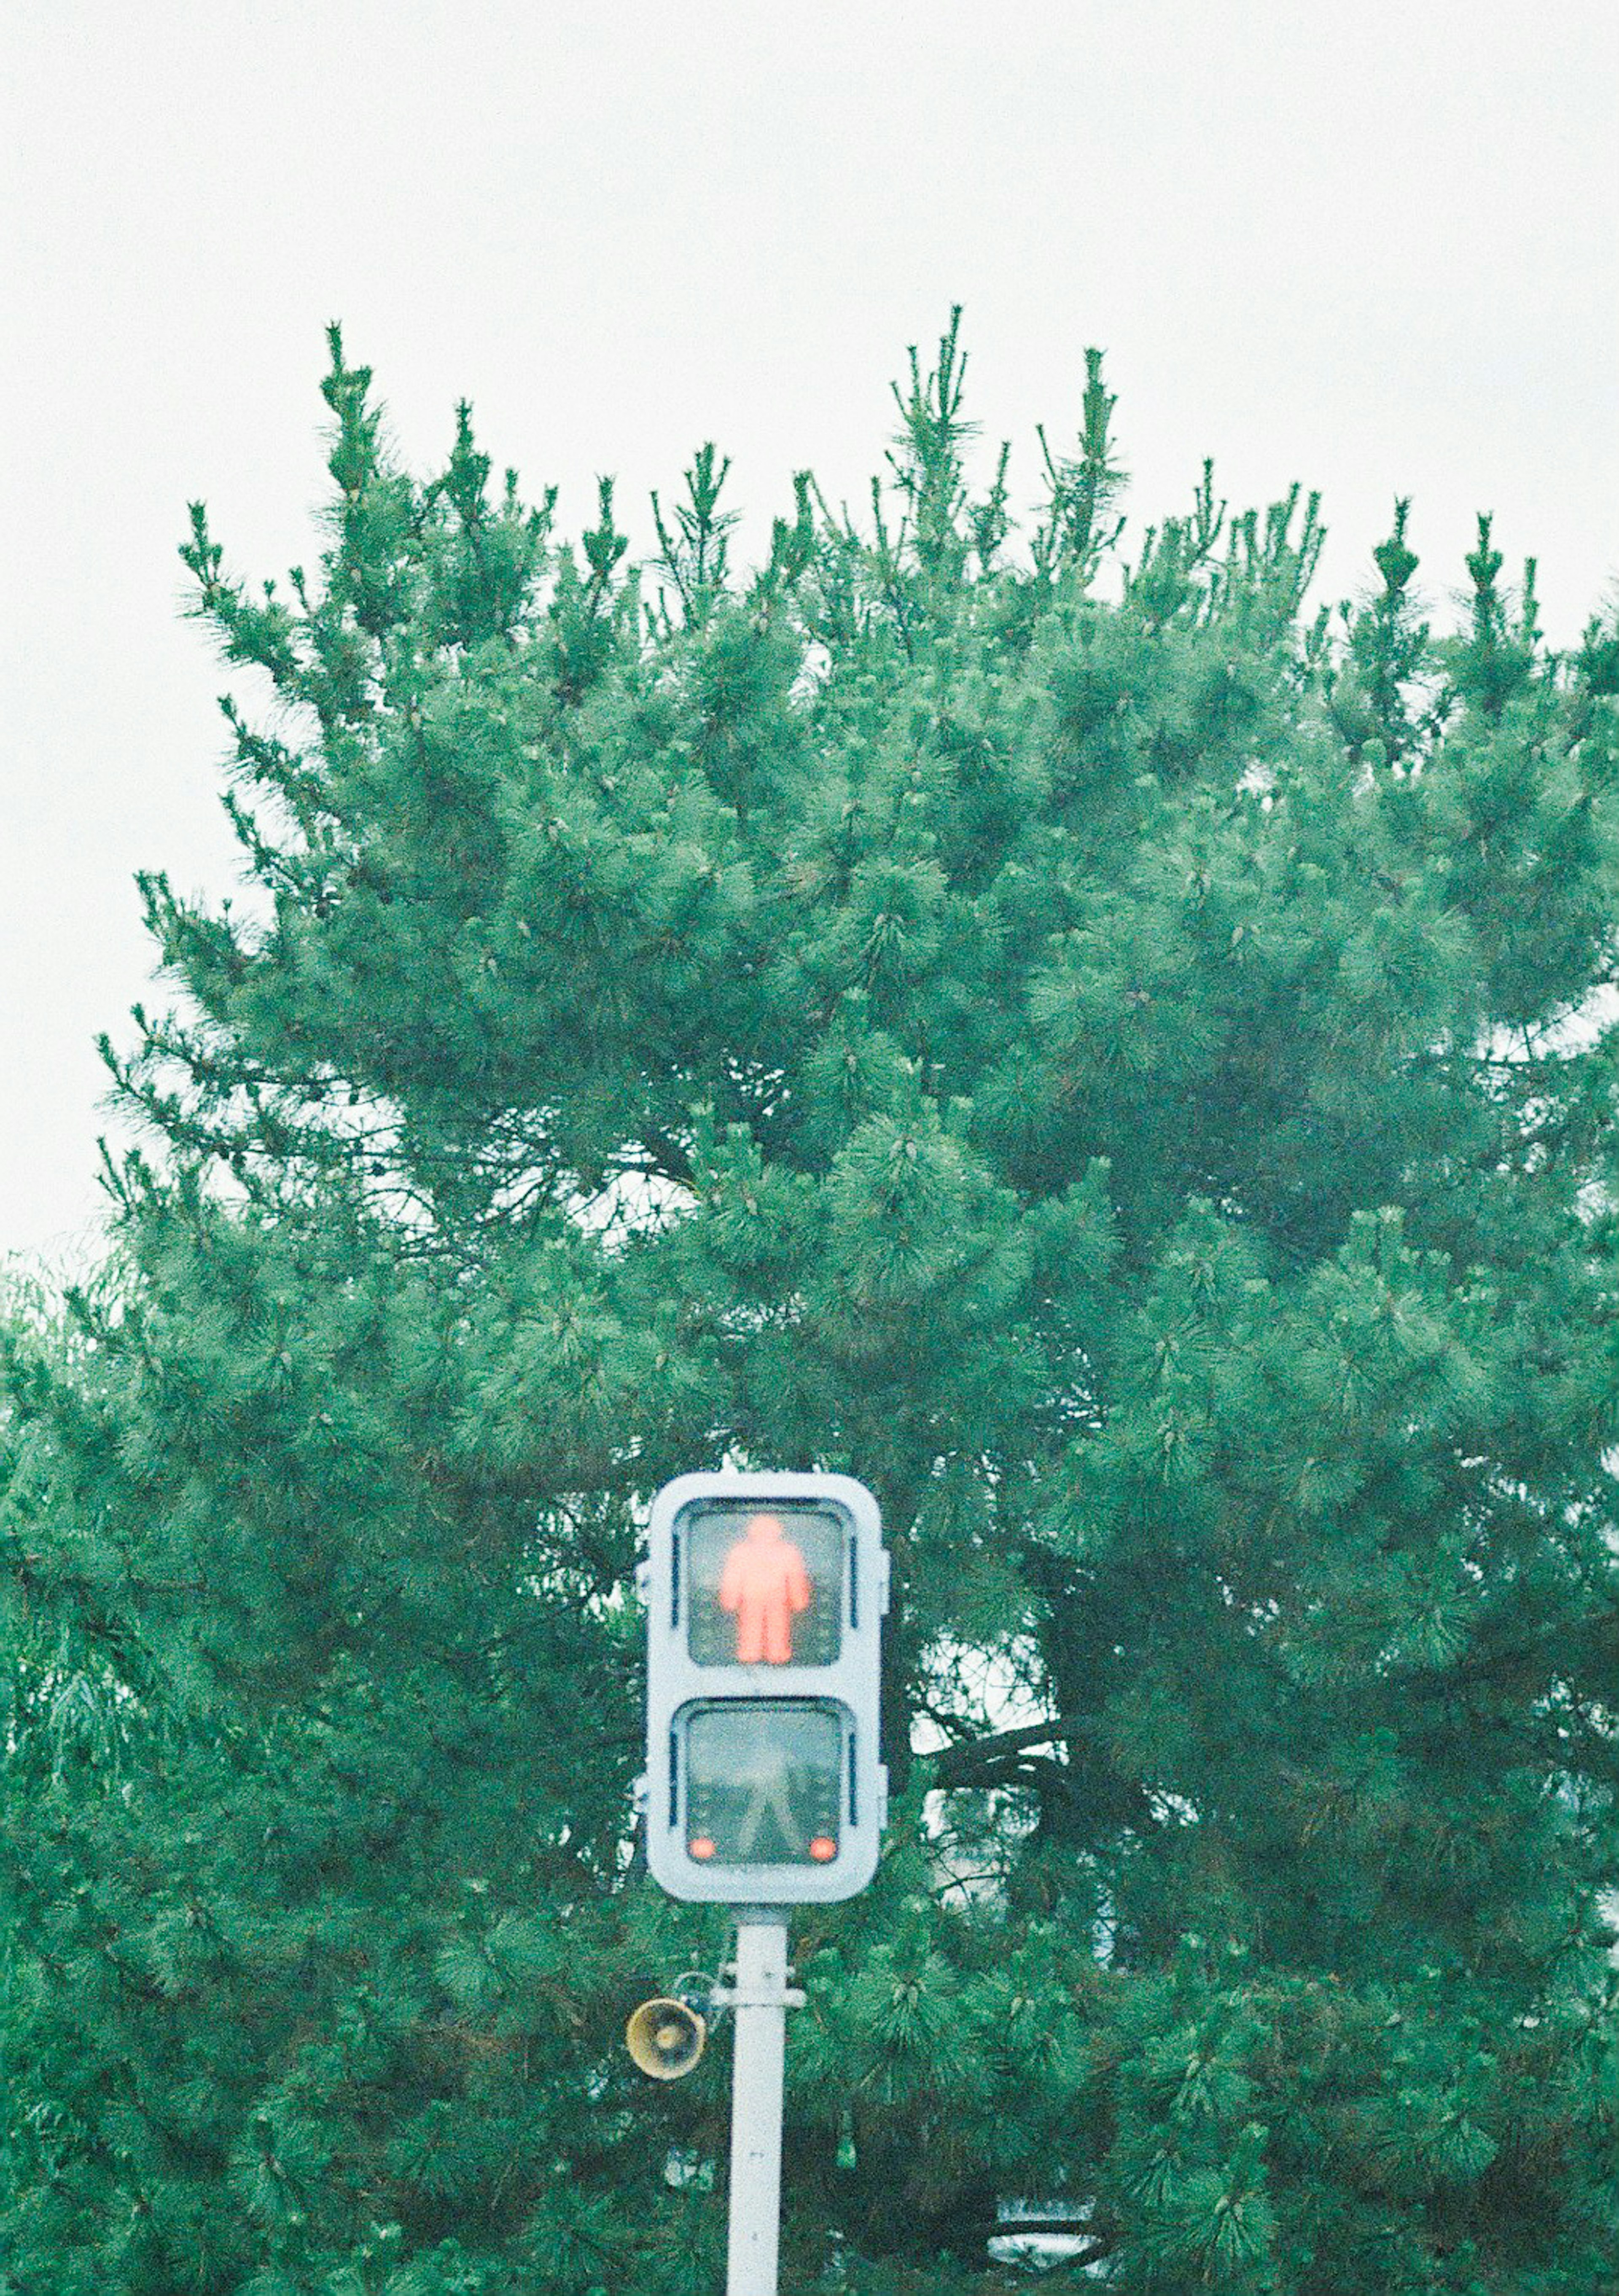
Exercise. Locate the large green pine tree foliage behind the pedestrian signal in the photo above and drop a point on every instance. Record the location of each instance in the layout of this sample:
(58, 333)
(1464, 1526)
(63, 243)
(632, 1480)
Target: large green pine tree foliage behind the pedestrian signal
(1101, 1055)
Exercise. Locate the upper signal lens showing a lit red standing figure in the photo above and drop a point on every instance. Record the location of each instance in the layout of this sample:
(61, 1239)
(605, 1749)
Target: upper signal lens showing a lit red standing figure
(764, 1585)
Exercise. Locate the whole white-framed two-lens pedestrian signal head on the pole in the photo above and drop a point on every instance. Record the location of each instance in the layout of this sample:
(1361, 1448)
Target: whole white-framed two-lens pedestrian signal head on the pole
(764, 1689)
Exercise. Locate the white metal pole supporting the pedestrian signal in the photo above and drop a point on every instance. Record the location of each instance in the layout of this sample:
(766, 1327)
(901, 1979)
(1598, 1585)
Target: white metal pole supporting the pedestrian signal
(761, 2003)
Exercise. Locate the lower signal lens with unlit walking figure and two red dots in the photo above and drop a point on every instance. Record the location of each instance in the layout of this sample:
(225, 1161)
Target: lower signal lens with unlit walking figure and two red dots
(766, 1783)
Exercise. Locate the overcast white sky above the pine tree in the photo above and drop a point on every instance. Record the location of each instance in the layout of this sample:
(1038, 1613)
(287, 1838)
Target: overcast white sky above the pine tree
(1365, 247)
